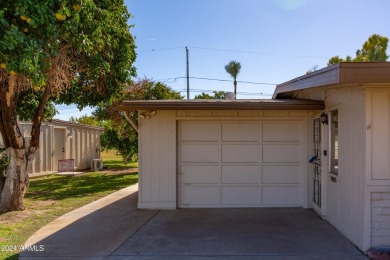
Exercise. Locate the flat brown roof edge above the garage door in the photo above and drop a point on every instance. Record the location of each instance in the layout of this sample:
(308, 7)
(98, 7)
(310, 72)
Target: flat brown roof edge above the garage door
(222, 104)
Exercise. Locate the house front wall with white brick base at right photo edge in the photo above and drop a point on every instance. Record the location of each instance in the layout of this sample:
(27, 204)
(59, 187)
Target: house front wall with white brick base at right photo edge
(377, 190)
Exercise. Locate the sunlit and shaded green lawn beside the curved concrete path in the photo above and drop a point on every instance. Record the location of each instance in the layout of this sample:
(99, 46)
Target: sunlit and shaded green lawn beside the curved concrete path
(52, 196)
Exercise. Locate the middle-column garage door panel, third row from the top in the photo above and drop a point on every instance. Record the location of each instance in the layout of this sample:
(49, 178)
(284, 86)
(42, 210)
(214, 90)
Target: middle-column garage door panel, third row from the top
(242, 174)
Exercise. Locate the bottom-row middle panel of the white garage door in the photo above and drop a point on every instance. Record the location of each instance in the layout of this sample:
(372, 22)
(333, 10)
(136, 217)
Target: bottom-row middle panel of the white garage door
(240, 196)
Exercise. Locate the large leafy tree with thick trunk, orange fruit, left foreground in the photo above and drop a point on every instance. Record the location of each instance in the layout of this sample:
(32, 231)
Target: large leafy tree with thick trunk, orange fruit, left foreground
(64, 51)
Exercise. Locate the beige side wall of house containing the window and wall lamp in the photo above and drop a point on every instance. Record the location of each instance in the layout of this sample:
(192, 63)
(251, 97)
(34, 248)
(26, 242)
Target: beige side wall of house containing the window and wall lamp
(345, 193)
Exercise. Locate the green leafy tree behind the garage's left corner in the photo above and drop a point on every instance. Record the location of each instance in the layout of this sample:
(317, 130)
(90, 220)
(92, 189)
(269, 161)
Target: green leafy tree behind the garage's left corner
(119, 134)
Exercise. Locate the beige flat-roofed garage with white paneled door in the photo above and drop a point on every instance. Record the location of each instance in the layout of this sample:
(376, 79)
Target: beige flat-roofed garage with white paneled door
(223, 153)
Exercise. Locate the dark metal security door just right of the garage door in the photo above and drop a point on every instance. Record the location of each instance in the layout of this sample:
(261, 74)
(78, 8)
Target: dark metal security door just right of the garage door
(316, 166)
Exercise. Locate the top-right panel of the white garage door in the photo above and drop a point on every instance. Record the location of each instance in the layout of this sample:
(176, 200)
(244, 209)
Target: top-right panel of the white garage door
(281, 132)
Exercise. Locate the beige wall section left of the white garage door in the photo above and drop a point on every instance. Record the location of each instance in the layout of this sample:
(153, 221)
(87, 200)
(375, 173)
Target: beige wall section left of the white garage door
(157, 161)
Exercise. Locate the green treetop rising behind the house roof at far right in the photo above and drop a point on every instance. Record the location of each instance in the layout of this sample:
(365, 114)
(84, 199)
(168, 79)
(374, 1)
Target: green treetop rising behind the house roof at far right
(374, 49)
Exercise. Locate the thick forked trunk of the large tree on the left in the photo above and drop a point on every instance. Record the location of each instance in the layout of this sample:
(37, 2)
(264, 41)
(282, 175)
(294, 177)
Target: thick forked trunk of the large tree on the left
(15, 184)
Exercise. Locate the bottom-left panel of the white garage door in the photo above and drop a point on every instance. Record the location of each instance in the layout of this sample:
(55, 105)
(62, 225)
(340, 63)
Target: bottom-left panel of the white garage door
(200, 195)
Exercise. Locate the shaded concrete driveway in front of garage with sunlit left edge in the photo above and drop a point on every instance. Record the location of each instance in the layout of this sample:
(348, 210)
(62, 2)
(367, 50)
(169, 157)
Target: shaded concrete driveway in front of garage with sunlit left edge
(113, 228)
